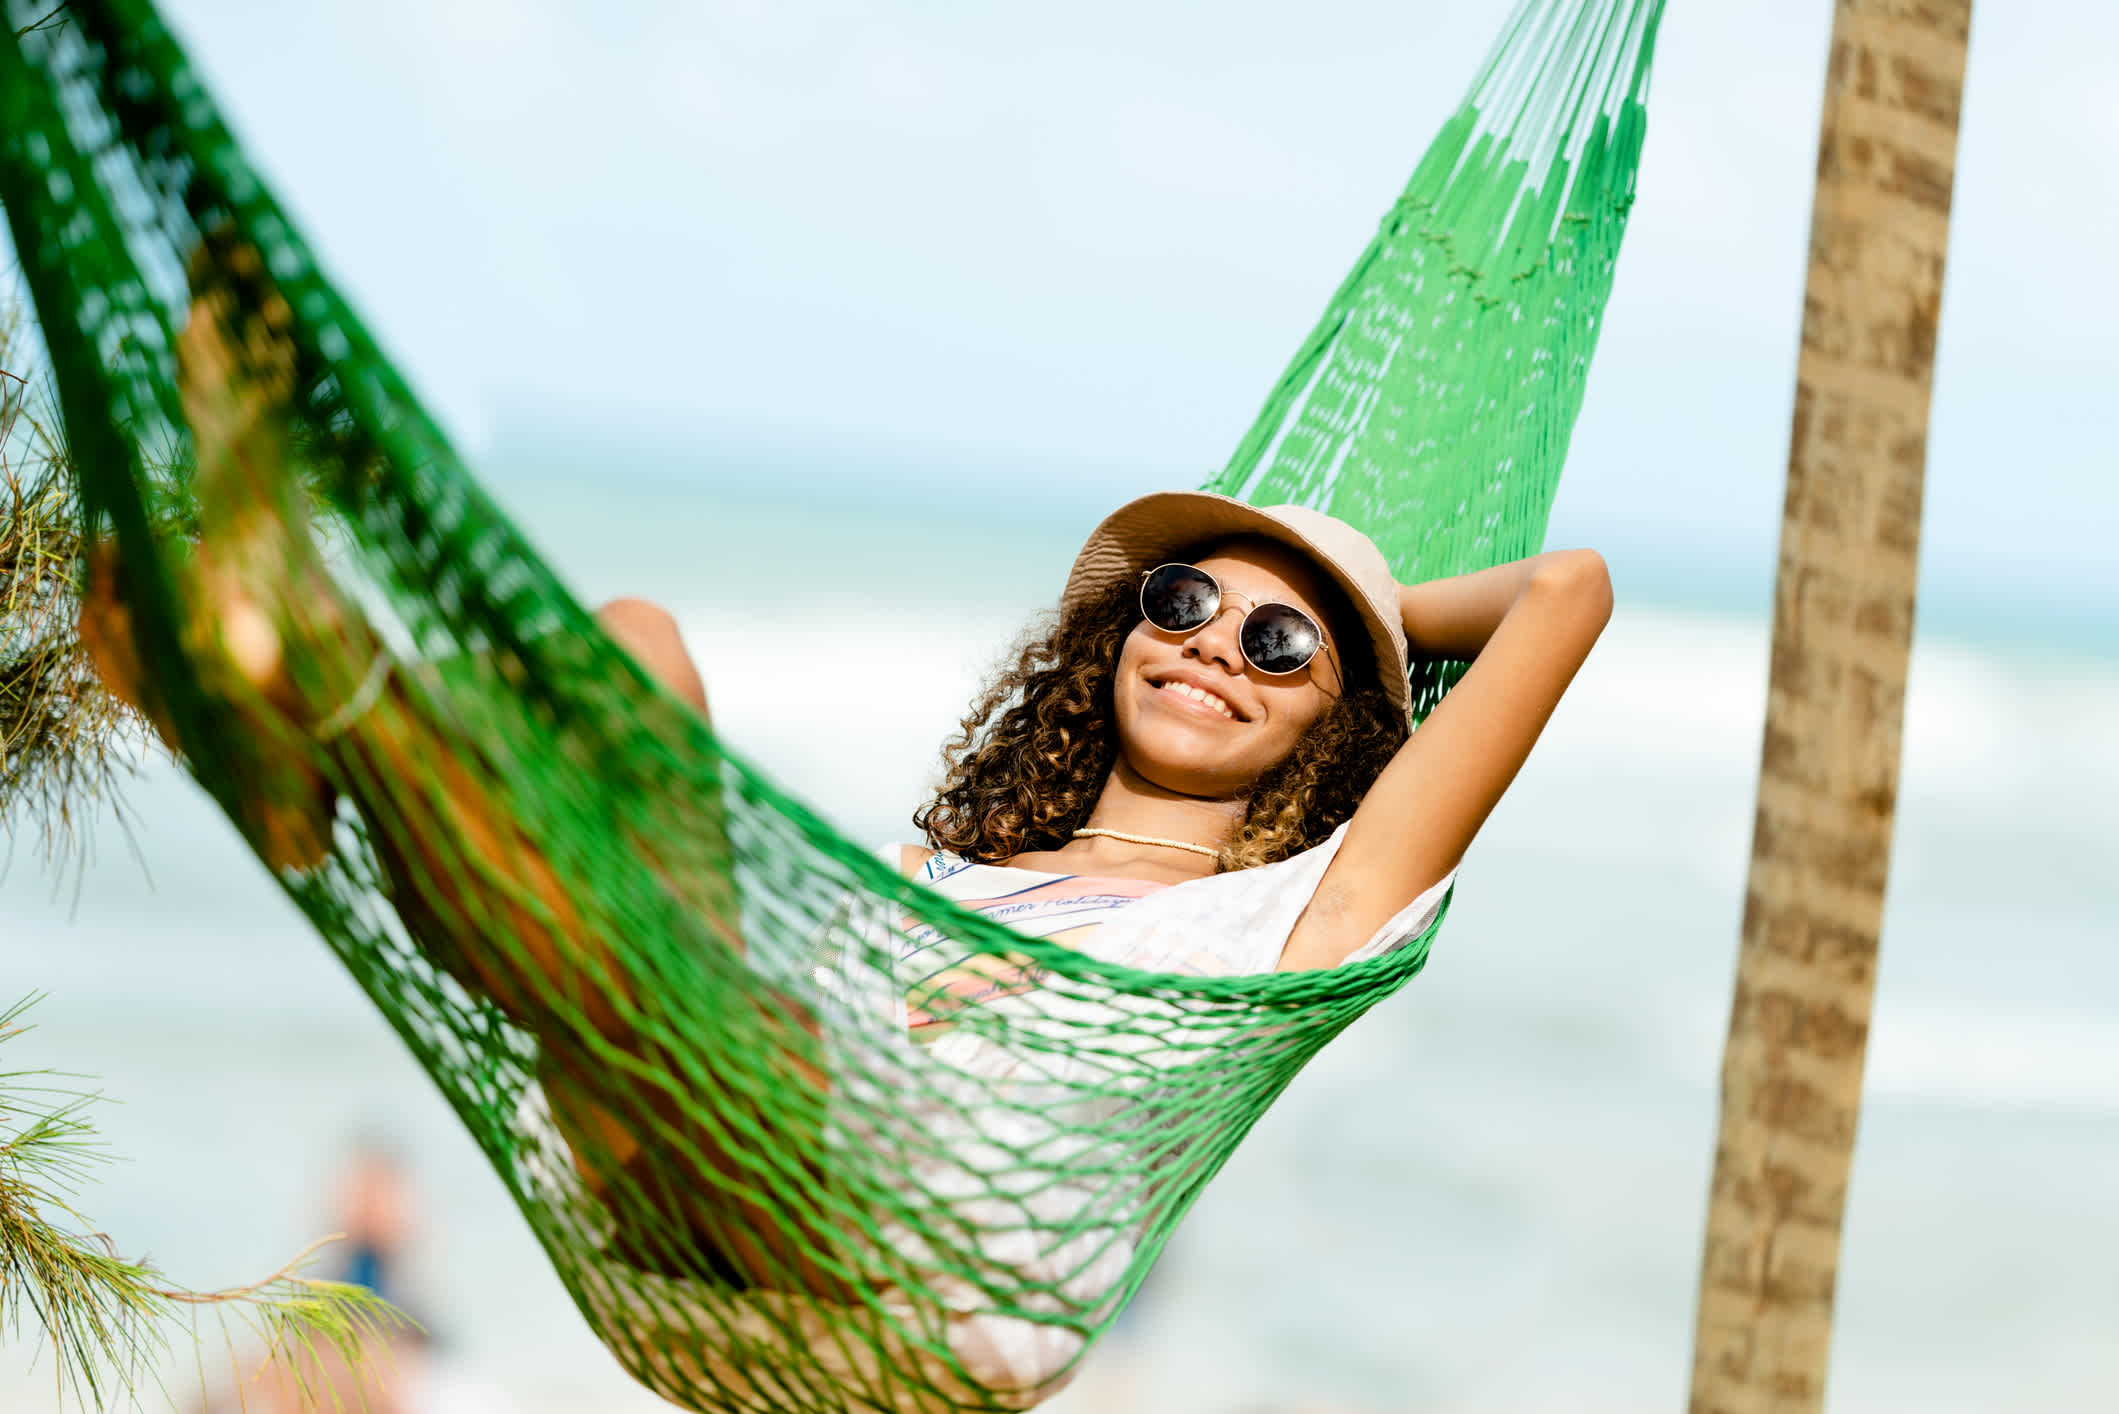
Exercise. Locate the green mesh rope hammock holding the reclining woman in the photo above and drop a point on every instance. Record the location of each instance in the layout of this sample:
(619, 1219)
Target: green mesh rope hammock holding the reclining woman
(656, 989)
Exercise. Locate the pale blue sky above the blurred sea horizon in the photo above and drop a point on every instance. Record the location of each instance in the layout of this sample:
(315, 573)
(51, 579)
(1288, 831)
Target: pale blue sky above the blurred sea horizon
(1080, 245)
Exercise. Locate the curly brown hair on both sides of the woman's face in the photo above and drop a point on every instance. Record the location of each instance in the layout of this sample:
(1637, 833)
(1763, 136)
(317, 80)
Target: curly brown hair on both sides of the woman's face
(1039, 743)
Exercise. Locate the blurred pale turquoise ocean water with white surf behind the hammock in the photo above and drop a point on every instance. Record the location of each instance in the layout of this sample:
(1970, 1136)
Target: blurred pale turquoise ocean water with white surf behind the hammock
(1486, 1197)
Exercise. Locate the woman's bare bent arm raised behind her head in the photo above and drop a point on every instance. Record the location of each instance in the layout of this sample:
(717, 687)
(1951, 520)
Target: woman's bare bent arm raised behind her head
(1527, 626)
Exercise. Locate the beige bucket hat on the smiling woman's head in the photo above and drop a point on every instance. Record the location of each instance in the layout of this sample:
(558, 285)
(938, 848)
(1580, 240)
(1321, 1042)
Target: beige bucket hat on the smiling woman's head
(1167, 525)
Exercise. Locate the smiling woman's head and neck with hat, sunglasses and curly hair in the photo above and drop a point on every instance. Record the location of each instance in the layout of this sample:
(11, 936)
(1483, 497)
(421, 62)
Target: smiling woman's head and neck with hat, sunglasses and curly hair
(1171, 730)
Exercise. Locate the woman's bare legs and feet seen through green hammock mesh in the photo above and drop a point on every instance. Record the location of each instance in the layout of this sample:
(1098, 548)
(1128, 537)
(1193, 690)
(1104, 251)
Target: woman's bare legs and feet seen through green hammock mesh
(471, 885)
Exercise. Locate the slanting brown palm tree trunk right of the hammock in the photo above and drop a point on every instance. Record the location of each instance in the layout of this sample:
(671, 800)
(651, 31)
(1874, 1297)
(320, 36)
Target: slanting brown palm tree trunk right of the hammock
(1830, 768)
